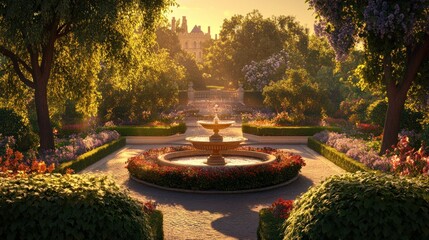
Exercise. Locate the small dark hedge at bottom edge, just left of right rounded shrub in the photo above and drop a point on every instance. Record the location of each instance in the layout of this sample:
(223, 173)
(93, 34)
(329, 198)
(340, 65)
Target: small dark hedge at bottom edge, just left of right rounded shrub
(270, 227)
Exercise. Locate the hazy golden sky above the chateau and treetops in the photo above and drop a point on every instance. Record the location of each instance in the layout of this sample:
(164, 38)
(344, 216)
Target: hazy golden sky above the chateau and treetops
(213, 12)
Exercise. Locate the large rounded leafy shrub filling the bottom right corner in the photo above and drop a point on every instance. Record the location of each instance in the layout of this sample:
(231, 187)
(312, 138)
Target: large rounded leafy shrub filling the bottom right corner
(362, 206)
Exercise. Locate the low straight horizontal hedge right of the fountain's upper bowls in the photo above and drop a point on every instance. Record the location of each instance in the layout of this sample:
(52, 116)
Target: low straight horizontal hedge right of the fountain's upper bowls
(286, 131)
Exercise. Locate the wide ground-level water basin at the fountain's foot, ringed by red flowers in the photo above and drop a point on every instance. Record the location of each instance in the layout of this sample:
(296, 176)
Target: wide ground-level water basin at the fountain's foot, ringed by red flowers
(198, 159)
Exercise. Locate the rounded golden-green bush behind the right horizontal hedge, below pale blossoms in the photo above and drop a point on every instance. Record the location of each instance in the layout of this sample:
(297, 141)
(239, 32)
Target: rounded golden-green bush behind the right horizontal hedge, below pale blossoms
(296, 95)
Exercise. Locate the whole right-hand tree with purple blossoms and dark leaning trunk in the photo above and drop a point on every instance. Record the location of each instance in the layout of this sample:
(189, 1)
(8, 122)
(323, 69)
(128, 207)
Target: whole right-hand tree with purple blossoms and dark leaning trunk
(395, 37)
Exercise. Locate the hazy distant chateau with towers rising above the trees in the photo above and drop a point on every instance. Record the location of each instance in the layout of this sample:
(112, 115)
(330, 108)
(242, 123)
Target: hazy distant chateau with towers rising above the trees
(191, 42)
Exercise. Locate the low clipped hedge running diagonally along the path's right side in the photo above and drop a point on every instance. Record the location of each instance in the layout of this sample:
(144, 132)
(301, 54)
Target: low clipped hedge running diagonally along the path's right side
(339, 158)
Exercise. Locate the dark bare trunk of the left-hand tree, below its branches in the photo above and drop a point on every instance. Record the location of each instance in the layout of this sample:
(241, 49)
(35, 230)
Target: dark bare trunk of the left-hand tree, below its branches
(45, 128)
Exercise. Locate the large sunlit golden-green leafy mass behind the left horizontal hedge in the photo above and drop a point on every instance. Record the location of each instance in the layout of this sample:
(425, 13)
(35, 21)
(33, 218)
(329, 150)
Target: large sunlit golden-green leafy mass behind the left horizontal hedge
(151, 86)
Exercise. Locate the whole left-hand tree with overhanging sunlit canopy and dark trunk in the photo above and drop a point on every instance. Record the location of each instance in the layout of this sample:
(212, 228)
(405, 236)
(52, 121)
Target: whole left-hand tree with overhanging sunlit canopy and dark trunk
(32, 34)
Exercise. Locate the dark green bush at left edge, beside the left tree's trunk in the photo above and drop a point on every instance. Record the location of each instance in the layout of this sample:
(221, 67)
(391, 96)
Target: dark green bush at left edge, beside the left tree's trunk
(11, 124)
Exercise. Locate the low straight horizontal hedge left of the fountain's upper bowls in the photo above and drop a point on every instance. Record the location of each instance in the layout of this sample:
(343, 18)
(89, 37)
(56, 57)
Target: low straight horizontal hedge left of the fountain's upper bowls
(149, 131)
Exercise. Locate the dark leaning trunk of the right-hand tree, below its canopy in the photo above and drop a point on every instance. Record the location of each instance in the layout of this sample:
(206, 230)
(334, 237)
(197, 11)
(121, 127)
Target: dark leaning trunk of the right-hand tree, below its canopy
(392, 122)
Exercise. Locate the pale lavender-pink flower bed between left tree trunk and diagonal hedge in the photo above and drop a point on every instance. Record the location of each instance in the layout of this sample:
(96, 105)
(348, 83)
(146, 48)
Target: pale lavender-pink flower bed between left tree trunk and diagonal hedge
(70, 149)
